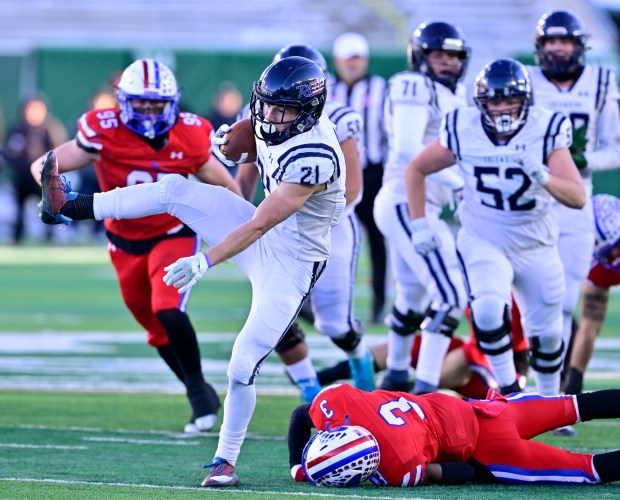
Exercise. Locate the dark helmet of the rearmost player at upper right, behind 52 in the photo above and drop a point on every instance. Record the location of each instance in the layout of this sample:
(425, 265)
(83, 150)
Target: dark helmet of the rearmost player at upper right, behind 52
(565, 25)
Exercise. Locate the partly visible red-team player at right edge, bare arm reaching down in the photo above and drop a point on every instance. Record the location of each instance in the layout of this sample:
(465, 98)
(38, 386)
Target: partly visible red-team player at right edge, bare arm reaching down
(604, 273)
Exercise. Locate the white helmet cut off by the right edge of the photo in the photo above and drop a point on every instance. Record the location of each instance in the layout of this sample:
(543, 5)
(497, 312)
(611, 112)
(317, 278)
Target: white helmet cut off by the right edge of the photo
(607, 229)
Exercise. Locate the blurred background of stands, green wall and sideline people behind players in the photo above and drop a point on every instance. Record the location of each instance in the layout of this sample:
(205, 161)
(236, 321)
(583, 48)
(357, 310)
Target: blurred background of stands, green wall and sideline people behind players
(60, 58)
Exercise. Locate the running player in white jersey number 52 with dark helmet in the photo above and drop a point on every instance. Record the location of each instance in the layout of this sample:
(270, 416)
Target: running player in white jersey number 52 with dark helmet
(515, 160)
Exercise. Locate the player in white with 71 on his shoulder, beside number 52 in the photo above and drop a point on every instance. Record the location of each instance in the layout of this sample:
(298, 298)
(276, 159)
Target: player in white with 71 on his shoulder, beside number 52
(430, 292)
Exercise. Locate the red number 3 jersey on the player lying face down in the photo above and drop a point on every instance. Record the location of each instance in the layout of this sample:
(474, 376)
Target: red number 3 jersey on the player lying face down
(411, 430)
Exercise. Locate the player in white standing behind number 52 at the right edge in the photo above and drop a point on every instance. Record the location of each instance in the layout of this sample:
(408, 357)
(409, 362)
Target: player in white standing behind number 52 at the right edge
(588, 95)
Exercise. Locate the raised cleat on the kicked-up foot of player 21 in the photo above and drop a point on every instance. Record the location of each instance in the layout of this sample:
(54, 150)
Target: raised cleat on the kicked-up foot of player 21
(56, 192)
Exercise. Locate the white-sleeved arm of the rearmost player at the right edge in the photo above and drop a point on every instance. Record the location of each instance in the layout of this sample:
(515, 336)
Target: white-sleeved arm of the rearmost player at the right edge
(606, 155)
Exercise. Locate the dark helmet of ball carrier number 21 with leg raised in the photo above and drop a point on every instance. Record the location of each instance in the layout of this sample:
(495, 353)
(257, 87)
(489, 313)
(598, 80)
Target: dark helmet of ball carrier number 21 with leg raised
(295, 85)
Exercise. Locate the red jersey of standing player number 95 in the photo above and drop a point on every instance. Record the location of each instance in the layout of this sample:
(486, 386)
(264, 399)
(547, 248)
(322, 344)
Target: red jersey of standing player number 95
(126, 159)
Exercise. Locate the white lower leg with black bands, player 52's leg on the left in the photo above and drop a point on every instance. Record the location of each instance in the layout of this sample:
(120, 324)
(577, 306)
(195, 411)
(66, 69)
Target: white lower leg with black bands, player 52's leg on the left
(492, 328)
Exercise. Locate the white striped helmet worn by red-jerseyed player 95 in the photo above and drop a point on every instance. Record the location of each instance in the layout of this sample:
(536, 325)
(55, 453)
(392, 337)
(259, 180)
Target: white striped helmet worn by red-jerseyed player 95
(152, 80)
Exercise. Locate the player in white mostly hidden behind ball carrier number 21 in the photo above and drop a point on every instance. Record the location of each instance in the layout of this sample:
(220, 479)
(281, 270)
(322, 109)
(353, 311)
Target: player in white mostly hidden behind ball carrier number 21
(333, 294)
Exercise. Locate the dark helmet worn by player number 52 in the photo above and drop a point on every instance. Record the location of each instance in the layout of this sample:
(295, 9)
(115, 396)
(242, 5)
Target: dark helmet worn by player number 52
(505, 84)
